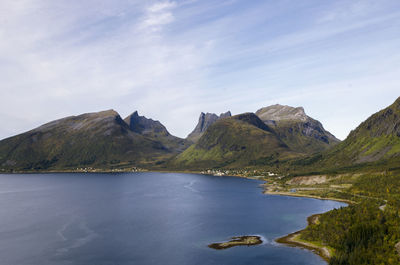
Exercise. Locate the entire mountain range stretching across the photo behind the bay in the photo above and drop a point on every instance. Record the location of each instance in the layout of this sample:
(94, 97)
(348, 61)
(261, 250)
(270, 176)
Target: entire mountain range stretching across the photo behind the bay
(271, 136)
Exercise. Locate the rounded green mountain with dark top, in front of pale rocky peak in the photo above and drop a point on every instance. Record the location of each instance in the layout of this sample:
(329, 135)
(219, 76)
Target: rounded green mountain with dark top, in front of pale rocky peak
(241, 140)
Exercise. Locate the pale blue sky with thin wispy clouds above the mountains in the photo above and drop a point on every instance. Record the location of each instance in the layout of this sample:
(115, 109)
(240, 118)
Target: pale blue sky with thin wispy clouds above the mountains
(171, 60)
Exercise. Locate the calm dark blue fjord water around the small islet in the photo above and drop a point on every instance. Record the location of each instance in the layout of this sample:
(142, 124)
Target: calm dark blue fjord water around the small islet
(146, 218)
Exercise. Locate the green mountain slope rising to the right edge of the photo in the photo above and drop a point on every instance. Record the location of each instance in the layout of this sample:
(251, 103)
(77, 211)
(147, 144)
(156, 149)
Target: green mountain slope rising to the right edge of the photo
(375, 141)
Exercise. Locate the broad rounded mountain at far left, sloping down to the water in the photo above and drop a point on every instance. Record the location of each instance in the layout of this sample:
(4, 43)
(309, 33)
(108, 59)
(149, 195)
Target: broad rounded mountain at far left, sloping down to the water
(100, 139)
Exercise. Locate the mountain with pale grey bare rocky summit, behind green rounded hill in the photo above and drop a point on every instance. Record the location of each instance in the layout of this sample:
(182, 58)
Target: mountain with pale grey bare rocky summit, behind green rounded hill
(299, 131)
